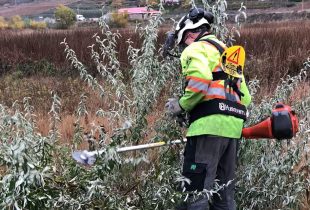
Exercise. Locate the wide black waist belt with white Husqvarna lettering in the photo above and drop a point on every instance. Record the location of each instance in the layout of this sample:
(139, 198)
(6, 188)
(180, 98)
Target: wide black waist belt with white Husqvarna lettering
(218, 106)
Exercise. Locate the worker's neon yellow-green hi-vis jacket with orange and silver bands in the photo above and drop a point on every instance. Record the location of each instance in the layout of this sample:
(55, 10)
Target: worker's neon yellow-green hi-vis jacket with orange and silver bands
(198, 61)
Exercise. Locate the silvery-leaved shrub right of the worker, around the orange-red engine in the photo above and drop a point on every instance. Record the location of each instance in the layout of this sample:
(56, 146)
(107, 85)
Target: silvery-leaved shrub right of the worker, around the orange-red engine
(274, 174)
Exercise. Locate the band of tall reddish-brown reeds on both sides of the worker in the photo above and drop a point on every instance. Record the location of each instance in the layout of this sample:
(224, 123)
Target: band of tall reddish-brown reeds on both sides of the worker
(273, 49)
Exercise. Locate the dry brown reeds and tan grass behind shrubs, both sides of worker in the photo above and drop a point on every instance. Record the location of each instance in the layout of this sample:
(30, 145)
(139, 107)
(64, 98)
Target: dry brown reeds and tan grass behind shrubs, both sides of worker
(273, 51)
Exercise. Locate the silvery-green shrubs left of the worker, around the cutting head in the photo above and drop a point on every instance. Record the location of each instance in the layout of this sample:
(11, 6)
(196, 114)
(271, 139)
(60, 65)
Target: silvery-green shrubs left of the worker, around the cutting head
(39, 168)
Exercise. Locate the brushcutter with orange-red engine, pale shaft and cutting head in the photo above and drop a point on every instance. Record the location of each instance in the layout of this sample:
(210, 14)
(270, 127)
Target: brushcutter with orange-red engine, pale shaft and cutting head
(283, 124)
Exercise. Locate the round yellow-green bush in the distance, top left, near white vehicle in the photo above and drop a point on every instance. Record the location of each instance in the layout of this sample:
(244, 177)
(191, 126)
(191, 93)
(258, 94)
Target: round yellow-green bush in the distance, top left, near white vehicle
(65, 16)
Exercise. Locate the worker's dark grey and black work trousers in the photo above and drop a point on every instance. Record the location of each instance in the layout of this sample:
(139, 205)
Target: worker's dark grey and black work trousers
(206, 159)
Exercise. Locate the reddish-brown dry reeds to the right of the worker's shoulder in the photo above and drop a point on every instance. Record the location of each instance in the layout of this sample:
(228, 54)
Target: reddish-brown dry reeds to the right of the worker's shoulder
(275, 50)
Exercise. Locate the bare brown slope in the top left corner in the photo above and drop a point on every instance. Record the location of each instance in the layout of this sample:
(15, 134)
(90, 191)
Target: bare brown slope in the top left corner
(31, 8)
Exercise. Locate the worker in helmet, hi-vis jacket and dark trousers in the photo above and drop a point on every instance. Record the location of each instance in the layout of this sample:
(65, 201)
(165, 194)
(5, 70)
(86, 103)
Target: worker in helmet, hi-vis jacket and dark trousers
(216, 103)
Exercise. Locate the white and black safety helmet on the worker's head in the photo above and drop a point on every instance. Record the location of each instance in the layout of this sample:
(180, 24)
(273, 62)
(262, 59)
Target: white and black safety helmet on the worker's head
(194, 19)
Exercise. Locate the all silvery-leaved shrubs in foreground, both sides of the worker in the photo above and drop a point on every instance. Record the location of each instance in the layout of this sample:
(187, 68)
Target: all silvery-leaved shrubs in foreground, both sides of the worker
(39, 172)
